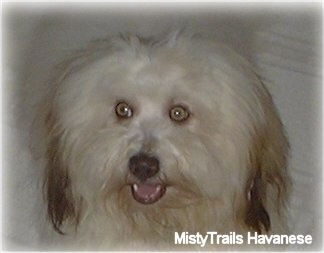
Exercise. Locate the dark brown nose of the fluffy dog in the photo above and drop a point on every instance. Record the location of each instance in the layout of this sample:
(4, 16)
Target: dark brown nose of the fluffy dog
(143, 166)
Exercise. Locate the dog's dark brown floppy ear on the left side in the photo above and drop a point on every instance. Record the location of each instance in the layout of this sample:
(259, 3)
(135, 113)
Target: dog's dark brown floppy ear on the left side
(57, 184)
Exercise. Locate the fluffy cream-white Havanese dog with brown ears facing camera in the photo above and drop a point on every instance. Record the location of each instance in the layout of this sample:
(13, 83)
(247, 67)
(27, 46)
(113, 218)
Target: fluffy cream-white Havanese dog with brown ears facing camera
(146, 137)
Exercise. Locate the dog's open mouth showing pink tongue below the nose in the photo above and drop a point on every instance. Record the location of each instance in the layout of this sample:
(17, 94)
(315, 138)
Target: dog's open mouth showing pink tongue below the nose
(147, 193)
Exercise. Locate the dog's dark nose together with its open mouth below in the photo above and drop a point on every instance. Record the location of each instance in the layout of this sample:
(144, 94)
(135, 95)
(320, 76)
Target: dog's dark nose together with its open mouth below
(147, 190)
